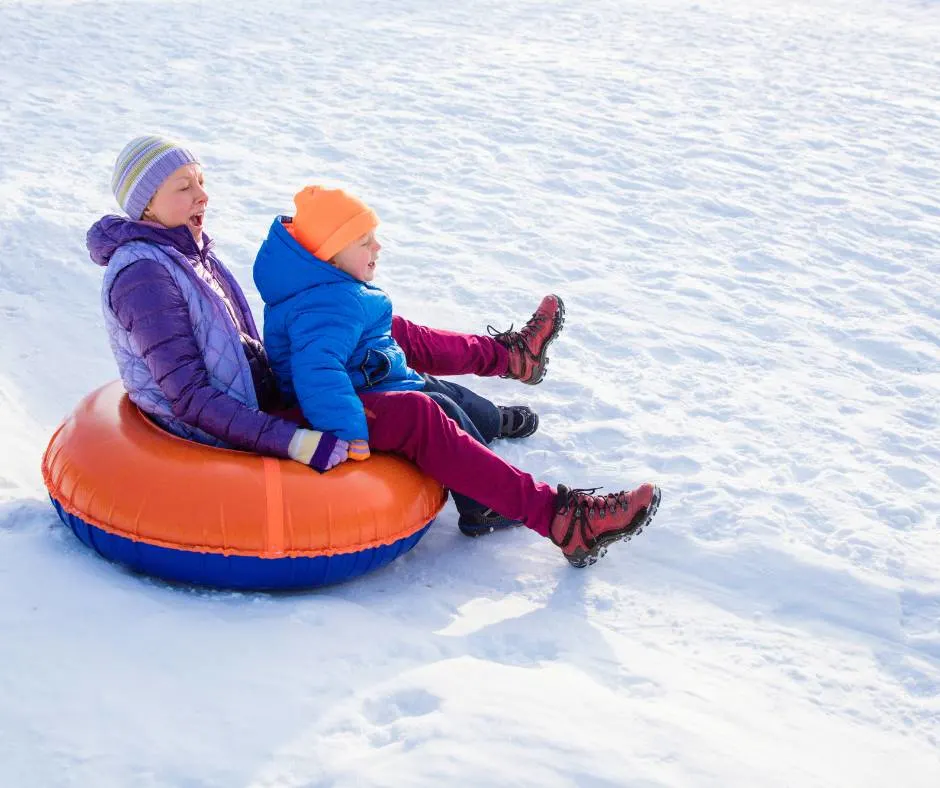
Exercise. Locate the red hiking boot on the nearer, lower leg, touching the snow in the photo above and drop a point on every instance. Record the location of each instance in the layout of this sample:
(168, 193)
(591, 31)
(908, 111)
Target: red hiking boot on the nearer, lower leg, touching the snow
(584, 524)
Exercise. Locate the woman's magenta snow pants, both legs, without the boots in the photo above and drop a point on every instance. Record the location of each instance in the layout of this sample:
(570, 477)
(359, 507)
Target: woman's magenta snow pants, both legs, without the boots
(413, 425)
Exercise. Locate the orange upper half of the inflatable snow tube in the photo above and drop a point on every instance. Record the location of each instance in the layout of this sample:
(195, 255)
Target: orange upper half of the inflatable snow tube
(112, 467)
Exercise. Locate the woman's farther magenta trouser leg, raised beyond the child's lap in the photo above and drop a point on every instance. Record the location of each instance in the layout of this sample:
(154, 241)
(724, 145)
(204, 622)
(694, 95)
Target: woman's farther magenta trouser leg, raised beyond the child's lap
(447, 352)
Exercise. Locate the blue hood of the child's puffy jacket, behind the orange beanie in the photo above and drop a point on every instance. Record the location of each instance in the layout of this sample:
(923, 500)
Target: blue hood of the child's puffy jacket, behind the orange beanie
(284, 268)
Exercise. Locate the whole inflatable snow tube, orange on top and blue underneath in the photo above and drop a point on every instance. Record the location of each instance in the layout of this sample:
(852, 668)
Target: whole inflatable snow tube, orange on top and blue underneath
(186, 512)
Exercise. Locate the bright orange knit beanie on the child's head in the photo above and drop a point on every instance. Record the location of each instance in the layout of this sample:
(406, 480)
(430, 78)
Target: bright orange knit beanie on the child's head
(328, 220)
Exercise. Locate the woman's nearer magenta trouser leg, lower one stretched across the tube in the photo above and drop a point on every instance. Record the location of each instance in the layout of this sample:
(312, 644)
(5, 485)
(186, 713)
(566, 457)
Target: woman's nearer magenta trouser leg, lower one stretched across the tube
(410, 423)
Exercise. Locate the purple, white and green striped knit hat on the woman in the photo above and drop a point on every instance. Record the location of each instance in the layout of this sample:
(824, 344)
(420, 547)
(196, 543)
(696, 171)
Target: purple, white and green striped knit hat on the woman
(141, 168)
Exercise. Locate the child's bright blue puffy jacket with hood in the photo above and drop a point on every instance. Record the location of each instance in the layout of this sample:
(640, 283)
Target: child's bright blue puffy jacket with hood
(328, 335)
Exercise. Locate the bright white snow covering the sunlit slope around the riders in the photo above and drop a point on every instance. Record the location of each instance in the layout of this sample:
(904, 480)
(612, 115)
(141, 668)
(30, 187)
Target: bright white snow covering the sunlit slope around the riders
(738, 203)
